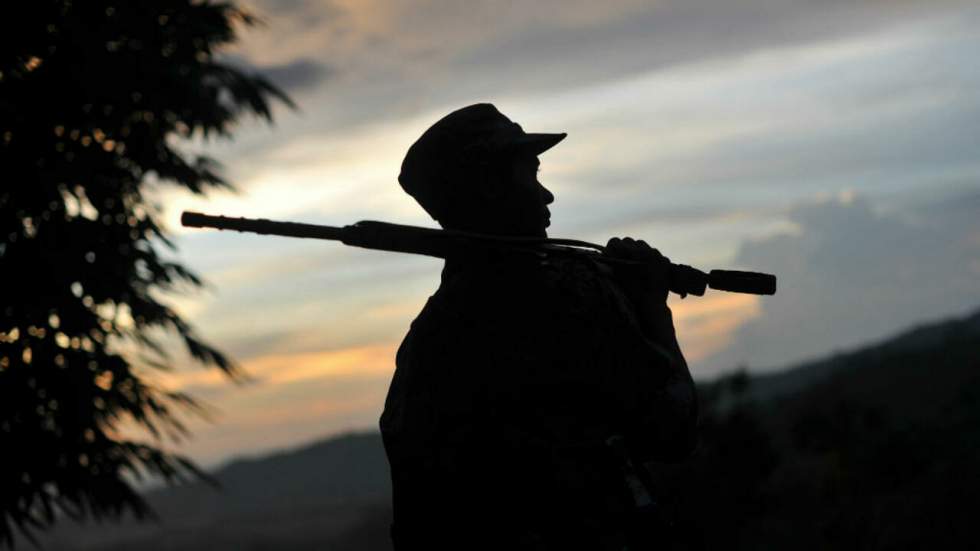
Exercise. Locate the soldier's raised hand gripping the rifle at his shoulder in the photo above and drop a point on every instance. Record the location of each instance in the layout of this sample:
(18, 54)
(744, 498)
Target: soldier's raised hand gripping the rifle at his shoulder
(646, 280)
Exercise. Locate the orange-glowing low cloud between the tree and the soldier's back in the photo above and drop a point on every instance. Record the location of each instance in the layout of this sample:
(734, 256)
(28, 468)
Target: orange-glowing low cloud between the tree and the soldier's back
(294, 397)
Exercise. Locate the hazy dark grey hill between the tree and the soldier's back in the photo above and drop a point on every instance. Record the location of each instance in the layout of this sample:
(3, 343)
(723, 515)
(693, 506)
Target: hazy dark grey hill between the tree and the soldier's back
(306, 498)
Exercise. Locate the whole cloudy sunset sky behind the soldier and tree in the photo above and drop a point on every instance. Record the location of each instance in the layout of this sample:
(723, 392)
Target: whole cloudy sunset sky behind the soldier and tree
(831, 143)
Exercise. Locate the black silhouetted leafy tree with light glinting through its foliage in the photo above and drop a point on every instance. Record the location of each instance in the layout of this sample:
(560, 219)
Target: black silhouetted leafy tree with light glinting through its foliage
(94, 100)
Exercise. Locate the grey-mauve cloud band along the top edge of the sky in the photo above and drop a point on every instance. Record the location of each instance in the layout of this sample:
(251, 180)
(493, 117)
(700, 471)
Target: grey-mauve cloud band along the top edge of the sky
(400, 58)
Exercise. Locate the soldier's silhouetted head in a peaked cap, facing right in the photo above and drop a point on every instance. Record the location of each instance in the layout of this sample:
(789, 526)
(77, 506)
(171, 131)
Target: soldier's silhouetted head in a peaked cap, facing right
(476, 170)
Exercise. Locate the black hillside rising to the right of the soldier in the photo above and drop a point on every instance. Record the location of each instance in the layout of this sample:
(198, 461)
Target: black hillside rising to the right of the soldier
(872, 449)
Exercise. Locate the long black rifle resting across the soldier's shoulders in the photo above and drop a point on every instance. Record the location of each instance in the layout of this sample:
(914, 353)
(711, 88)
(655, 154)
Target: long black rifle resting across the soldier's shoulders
(683, 280)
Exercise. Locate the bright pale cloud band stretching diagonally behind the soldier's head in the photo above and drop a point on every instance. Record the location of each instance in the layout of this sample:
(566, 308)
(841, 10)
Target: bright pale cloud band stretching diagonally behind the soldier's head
(693, 159)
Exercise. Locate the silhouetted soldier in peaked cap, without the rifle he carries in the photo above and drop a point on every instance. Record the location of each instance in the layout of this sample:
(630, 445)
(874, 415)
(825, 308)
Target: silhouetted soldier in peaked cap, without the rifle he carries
(529, 389)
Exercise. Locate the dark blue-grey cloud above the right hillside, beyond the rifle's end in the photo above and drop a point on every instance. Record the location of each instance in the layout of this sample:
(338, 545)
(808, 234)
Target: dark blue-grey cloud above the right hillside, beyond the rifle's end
(850, 275)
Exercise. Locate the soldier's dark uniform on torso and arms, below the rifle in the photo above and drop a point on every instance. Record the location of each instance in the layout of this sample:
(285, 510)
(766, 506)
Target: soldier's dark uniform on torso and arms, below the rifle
(508, 388)
